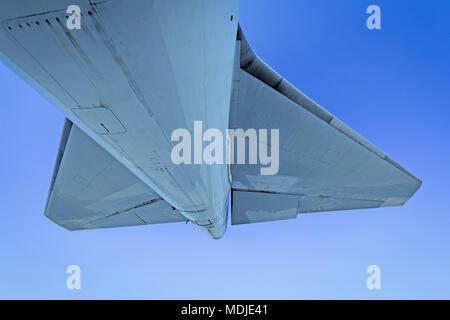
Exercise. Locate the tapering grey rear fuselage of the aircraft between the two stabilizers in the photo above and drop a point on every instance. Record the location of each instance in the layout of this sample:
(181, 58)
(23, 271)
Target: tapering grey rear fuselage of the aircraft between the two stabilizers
(127, 65)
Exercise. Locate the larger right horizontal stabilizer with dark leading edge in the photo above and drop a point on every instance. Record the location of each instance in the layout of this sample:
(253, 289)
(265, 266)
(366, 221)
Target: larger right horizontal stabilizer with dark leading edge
(323, 164)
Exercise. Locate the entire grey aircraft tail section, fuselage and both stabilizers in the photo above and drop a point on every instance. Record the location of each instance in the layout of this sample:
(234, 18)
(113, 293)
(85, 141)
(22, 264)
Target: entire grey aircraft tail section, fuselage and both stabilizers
(136, 71)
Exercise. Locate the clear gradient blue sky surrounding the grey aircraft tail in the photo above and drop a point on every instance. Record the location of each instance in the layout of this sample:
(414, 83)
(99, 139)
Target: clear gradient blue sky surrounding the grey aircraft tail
(391, 85)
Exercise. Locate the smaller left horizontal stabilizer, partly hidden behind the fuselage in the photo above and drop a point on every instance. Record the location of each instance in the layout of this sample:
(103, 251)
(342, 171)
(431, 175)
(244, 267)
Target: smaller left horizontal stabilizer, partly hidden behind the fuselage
(90, 189)
